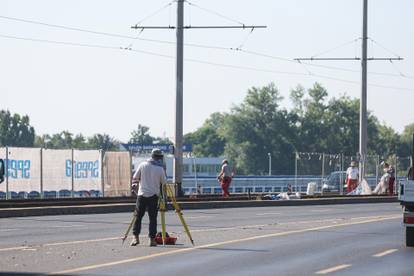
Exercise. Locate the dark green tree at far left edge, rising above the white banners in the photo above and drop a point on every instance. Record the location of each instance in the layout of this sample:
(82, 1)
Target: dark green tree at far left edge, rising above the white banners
(15, 130)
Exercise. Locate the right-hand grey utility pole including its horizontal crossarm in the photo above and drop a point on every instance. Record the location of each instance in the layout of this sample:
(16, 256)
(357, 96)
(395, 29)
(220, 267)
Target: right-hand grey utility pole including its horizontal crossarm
(363, 117)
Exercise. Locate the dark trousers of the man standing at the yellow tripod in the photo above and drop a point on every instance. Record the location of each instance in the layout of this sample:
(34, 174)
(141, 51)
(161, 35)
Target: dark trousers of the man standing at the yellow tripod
(151, 205)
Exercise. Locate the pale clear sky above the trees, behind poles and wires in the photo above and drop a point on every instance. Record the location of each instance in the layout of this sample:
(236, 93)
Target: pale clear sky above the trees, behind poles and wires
(113, 83)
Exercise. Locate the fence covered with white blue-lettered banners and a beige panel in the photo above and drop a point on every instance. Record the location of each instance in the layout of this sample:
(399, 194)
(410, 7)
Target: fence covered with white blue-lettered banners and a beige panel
(55, 173)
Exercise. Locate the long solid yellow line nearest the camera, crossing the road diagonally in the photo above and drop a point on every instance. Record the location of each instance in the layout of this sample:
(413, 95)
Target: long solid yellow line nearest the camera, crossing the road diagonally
(184, 250)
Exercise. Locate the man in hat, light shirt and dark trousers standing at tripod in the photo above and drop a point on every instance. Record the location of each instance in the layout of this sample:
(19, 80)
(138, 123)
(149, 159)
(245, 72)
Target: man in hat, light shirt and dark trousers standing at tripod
(148, 177)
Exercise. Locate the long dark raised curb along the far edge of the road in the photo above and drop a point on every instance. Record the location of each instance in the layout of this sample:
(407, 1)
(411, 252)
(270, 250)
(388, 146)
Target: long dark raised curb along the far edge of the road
(191, 205)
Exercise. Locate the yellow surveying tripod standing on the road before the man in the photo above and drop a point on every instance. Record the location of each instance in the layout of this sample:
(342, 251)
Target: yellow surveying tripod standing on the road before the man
(166, 191)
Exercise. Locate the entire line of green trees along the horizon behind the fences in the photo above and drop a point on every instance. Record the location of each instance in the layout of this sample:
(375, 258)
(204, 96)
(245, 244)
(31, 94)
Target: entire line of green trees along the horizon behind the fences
(249, 131)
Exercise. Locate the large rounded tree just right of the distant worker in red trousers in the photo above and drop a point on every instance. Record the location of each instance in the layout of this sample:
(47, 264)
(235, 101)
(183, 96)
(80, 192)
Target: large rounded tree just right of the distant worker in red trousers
(256, 127)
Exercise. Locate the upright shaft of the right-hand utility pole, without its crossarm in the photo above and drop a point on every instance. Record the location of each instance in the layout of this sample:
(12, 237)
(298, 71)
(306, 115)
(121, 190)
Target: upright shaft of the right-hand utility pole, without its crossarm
(363, 128)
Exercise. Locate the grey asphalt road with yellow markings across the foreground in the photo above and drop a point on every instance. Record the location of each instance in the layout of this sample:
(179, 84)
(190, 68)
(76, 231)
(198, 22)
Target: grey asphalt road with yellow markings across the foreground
(358, 239)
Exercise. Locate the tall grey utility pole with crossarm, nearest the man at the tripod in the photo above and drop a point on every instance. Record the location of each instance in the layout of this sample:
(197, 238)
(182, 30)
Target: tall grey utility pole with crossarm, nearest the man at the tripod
(178, 138)
